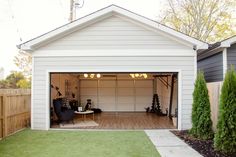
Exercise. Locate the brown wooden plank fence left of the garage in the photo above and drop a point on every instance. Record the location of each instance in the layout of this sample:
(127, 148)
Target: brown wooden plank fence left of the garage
(14, 110)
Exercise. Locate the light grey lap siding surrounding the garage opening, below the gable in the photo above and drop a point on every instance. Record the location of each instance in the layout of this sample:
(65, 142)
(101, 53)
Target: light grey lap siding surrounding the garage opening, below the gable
(112, 64)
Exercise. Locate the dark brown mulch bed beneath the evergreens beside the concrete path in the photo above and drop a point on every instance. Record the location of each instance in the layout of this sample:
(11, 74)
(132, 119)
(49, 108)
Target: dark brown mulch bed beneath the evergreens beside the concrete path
(204, 147)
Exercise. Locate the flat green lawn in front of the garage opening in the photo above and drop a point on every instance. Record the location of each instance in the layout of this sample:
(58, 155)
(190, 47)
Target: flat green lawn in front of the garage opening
(30, 143)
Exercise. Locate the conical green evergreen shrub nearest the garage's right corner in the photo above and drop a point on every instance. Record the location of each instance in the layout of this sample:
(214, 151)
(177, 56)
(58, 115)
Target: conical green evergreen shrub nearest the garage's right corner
(201, 112)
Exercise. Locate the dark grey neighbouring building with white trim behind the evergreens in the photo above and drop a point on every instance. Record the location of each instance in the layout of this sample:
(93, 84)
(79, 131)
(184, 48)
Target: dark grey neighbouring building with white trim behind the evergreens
(217, 59)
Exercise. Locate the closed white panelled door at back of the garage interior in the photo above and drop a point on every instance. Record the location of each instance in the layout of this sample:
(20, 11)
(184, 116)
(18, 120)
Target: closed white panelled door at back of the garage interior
(117, 94)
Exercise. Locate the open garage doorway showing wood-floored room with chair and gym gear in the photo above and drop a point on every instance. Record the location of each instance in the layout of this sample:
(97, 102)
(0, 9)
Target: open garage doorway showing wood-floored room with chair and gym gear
(127, 100)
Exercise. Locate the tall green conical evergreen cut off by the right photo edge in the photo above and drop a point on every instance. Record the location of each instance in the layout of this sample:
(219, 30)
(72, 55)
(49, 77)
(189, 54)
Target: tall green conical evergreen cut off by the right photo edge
(225, 137)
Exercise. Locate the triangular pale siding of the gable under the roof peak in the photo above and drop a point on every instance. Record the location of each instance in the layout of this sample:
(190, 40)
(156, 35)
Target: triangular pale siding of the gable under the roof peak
(114, 33)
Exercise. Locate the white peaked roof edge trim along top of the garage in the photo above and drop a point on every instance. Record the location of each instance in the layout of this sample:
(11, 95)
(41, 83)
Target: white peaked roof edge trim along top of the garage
(102, 14)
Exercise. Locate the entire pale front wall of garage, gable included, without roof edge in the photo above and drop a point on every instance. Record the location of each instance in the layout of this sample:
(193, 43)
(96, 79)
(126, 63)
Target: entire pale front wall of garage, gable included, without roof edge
(145, 51)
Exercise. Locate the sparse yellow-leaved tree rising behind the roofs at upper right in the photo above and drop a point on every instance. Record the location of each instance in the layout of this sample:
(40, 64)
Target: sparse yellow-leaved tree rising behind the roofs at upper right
(207, 20)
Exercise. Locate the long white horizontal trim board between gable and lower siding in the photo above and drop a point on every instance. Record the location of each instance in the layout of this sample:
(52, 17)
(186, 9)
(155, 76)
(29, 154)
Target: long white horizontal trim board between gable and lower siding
(118, 53)
